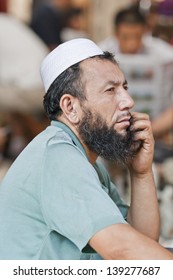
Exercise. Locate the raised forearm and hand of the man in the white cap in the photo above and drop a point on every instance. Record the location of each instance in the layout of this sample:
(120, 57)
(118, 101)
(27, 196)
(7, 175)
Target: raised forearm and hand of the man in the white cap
(143, 213)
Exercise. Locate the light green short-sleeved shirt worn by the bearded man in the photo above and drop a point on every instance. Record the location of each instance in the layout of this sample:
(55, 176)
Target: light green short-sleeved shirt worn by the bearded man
(52, 200)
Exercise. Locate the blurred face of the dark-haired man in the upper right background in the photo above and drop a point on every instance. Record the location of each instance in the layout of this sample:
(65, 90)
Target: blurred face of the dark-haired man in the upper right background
(130, 37)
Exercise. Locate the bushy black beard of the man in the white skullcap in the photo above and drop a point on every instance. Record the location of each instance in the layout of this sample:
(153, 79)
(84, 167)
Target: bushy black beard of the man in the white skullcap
(105, 141)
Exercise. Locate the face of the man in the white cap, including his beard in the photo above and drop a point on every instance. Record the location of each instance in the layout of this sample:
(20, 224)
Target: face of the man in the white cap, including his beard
(105, 117)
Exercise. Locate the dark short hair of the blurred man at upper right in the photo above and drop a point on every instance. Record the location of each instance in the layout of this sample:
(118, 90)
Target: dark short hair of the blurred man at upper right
(129, 16)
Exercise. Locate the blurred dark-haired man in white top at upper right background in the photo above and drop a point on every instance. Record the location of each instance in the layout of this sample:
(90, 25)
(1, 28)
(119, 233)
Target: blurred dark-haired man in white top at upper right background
(131, 36)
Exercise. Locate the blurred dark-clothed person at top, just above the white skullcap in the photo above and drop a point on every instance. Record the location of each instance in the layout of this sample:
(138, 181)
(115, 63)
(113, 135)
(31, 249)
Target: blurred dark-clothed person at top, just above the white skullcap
(48, 20)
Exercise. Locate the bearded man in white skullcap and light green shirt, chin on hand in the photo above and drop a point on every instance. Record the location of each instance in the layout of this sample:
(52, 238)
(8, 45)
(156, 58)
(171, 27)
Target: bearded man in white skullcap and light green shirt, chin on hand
(57, 201)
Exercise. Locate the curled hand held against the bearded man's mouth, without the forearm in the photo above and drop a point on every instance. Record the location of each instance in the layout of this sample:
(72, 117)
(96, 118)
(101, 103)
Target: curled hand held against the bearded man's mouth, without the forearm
(144, 144)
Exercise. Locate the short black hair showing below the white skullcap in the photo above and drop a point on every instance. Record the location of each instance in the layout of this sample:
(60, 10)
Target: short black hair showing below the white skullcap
(69, 81)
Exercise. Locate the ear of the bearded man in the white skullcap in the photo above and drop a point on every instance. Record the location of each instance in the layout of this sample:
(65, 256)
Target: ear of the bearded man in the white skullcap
(69, 106)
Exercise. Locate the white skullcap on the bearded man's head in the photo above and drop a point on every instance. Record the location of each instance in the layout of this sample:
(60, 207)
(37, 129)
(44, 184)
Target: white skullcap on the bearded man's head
(64, 56)
